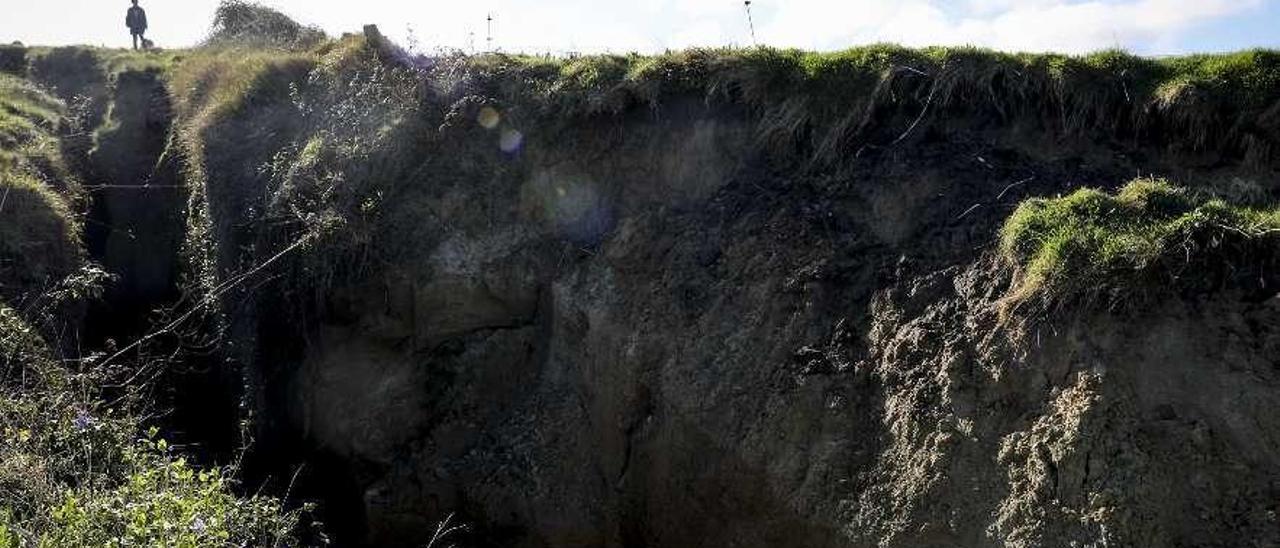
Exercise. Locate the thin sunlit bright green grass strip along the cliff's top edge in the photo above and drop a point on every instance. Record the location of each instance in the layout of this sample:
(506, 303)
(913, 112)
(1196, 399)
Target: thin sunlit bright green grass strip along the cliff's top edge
(1249, 79)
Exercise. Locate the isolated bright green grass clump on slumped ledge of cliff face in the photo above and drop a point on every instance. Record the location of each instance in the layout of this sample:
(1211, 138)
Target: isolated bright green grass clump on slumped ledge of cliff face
(1150, 236)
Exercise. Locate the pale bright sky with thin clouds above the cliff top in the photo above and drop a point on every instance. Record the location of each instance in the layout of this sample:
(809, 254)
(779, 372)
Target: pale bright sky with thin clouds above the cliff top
(1149, 28)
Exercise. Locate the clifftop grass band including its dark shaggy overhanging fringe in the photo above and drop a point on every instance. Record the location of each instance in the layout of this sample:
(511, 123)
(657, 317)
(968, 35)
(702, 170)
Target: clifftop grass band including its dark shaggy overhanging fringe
(835, 101)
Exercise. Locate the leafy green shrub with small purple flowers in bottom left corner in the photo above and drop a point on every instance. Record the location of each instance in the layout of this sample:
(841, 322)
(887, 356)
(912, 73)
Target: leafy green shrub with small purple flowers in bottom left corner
(77, 473)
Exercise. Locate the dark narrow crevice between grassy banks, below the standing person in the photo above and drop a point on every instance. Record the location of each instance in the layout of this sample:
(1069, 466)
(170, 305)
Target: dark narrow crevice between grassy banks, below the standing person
(135, 230)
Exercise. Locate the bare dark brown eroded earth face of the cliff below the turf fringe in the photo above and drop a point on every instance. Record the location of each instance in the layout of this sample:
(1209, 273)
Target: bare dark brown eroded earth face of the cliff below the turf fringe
(652, 330)
